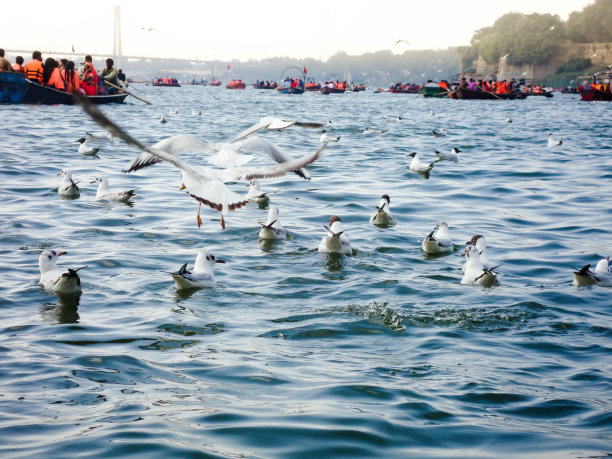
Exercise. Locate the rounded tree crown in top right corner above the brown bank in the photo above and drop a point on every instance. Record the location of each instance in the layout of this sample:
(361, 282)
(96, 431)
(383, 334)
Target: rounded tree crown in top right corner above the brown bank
(592, 24)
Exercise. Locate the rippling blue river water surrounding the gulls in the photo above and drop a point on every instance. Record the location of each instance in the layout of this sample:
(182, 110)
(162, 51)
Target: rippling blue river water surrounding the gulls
(294, 353)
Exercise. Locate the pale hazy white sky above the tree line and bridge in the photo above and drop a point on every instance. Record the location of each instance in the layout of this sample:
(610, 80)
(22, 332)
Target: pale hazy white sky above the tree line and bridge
(256, 29)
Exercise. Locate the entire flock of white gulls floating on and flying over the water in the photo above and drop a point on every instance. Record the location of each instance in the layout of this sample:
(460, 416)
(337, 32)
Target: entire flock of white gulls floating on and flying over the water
(208, 186)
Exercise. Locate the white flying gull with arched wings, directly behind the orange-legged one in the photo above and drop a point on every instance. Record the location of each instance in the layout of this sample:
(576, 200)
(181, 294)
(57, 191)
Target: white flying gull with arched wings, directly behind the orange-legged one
(223, 154)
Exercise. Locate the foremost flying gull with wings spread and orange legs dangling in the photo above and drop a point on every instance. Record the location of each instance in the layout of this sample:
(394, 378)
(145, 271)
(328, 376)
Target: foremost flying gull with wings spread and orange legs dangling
(204, 184)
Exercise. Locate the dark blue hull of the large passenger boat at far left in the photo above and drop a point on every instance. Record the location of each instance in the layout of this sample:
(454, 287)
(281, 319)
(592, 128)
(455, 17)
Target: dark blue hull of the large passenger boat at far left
(15, 88)
